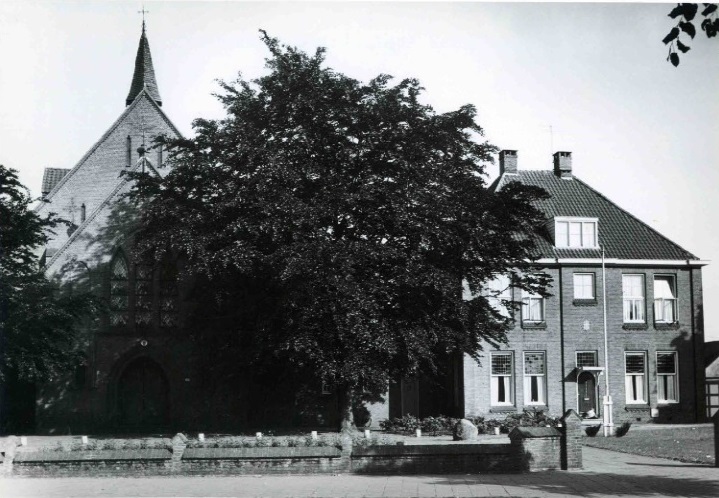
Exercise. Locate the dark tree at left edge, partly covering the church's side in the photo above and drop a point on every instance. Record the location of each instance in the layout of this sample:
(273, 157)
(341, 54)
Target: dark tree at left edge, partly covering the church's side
(38, 333)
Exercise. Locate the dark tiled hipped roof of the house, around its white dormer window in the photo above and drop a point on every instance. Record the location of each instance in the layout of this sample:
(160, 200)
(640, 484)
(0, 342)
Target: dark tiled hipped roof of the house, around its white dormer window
(620, 234)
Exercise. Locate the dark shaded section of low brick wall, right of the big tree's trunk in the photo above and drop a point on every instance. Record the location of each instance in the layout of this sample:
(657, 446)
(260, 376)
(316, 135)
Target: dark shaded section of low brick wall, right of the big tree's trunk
(433, 459)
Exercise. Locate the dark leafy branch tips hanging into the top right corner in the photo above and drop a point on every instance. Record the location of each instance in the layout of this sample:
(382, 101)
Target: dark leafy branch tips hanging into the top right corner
(685, 14)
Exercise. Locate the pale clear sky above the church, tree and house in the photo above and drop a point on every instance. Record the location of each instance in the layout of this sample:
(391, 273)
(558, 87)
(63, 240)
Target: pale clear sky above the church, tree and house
(587, 78)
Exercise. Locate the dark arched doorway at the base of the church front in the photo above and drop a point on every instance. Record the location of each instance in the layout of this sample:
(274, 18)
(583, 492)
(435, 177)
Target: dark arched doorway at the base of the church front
(143, 399)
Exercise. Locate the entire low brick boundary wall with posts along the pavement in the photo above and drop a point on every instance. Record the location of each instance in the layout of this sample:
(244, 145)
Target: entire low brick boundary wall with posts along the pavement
(528, 449)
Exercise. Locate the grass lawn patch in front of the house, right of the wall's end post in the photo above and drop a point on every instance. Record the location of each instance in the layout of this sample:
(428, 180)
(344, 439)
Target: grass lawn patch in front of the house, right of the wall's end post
(686, 444)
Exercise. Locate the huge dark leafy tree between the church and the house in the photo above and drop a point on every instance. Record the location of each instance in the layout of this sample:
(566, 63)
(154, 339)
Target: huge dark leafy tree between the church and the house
(338, 219)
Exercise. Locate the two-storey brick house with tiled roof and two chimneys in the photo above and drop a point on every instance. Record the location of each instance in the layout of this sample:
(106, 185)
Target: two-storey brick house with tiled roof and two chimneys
(573, 325)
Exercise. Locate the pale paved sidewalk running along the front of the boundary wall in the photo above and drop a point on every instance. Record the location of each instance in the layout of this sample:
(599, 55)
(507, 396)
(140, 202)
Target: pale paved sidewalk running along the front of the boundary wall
(606, 473)
